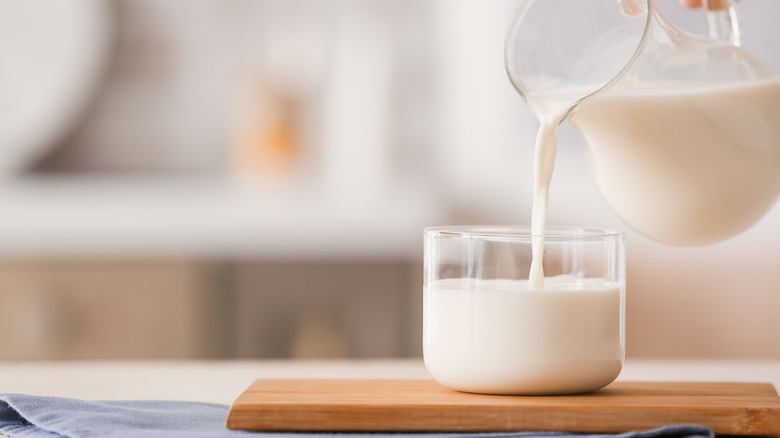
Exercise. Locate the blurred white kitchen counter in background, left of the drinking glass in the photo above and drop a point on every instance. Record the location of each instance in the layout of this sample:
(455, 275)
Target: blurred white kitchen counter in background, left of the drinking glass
(205, 217)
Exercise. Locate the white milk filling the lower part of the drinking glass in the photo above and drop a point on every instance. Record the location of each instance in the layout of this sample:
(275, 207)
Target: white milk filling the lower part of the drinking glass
(505, 337)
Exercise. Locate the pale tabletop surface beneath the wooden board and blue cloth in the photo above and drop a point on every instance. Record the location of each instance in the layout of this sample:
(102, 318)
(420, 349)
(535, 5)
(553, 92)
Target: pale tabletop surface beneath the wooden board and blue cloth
(223, 381)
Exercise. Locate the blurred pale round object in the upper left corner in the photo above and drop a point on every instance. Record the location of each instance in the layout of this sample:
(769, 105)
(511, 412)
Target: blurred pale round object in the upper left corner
(54, 55)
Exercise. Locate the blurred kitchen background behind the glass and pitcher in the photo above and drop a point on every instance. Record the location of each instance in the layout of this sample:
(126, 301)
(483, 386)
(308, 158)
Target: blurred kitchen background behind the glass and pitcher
(250, 179)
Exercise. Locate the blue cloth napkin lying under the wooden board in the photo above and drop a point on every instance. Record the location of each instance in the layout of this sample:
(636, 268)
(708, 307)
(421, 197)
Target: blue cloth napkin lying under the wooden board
(52, 417)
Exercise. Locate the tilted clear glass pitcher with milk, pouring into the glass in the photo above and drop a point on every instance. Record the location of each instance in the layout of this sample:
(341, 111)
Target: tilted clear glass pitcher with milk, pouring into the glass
(683, 132)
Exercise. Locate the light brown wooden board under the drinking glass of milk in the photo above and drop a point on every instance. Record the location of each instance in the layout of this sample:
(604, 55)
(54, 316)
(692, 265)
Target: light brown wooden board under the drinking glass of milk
(424, 405)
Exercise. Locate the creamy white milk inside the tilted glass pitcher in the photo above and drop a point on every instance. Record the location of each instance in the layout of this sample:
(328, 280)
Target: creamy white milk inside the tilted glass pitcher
(686, 166)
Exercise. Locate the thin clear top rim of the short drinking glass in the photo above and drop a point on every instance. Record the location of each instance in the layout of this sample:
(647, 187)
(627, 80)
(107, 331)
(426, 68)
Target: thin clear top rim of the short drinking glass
(524, 232)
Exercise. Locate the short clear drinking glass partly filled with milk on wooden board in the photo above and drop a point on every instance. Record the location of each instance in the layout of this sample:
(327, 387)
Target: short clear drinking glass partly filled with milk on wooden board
(486, 331)
